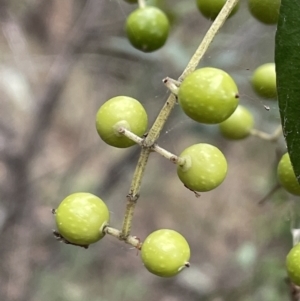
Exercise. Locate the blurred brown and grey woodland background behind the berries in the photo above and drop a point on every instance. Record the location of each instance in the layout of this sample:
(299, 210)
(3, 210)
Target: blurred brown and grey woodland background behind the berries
(60, 61)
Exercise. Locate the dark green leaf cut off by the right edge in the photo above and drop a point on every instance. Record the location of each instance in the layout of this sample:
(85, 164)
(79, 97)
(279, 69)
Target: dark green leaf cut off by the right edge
(287, 59)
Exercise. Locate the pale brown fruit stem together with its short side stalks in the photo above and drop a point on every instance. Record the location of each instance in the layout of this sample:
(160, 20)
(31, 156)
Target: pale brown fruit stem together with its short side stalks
(148, 143)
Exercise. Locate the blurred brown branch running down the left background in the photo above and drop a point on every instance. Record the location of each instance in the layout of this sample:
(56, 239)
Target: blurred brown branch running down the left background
(17, 243)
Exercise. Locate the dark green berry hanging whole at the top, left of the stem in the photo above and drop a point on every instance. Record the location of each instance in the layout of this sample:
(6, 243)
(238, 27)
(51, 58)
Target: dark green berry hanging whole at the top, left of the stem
(147, 28)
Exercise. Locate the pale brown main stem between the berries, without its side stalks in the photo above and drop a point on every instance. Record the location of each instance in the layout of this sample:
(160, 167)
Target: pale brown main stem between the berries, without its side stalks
(163, 115)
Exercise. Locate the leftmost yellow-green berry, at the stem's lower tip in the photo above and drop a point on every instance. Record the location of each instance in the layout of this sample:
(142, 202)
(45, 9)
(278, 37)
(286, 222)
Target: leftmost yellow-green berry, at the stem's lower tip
(80, 218)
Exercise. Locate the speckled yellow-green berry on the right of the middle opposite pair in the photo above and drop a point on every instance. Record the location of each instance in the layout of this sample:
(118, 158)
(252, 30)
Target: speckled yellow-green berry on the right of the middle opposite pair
(205, 167)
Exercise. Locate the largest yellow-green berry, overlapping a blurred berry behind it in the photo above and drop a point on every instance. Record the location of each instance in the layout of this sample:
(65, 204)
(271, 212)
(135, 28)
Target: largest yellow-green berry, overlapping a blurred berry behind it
(208, 95)
